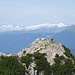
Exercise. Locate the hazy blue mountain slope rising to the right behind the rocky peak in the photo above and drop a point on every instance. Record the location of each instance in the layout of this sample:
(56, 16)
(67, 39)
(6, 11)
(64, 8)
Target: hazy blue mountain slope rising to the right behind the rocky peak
(67, 37)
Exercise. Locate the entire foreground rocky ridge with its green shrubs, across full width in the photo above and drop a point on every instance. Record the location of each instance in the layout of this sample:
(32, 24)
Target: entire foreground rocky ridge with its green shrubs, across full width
(44, 56)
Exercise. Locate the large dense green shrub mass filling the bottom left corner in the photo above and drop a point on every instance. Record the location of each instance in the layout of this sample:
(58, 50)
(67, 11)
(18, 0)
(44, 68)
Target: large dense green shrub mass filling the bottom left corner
(11, 66)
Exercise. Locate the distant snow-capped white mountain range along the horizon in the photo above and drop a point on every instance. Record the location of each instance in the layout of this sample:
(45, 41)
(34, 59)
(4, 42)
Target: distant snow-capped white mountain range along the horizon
(11, 27)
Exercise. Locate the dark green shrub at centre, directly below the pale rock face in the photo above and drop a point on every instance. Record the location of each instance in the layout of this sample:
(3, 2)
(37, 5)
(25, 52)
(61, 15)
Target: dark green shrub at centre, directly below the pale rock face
(42, 63)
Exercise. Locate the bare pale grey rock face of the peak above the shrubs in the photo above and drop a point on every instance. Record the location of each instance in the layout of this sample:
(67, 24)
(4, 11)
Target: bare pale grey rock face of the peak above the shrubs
(44, 45)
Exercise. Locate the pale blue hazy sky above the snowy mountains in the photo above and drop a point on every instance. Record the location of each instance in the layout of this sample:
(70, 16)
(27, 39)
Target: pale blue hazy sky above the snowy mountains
(31, 12)
